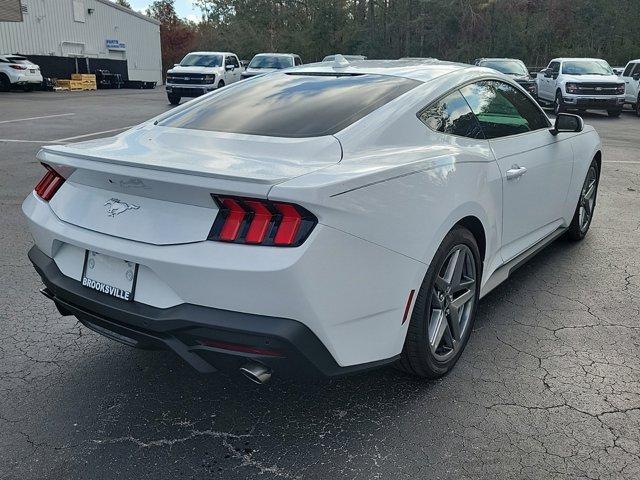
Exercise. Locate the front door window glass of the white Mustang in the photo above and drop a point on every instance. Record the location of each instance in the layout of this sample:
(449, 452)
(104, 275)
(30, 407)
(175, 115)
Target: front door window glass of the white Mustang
(502, 110)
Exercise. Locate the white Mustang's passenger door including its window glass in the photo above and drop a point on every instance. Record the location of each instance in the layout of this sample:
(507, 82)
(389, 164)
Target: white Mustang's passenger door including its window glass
(536, 166)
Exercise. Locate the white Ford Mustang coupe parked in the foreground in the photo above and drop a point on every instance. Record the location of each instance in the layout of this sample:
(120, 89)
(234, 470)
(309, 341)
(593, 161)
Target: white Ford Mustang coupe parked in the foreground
(329, 218)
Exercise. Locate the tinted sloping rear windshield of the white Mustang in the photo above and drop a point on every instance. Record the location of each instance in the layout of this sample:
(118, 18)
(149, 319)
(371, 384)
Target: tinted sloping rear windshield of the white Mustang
(292, 105)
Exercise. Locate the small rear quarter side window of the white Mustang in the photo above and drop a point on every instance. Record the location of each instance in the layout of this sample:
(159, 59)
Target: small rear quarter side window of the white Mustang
(451, 115)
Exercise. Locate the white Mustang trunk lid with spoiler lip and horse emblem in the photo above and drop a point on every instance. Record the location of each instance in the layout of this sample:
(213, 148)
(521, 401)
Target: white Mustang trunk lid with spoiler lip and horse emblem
(153, 184)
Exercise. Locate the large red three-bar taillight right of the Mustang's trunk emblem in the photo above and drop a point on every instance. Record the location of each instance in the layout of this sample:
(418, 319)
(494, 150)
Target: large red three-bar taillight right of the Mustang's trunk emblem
(261, 222)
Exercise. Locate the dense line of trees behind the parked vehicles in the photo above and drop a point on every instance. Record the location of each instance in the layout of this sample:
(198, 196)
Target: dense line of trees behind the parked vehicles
(457, 30)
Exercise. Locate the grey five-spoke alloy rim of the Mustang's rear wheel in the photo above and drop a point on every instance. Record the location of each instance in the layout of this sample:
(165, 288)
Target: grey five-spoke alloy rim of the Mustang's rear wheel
(452, 300)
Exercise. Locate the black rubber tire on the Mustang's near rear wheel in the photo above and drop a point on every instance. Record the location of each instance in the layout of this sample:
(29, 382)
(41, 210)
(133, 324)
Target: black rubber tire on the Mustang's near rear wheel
(417, 357)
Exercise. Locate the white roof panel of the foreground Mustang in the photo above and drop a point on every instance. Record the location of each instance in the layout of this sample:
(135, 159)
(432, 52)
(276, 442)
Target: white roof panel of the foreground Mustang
(422, 70)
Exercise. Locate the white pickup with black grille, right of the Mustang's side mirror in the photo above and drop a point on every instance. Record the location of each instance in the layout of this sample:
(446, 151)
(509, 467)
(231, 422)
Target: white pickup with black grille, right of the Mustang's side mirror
(581, 84)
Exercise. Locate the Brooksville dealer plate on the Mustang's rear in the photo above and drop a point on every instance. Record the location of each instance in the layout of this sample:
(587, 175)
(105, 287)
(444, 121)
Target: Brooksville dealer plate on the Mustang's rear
(109, 275)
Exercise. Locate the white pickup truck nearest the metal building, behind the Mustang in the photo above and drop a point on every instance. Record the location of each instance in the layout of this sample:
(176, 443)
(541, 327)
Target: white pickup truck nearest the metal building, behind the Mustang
(201, 72)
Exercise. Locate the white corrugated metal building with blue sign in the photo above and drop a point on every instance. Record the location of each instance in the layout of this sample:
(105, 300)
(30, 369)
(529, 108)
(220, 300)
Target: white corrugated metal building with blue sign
(81, 36)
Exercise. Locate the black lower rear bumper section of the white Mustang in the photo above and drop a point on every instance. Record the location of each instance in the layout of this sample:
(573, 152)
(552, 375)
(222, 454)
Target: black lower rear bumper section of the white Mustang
(206, 338)
